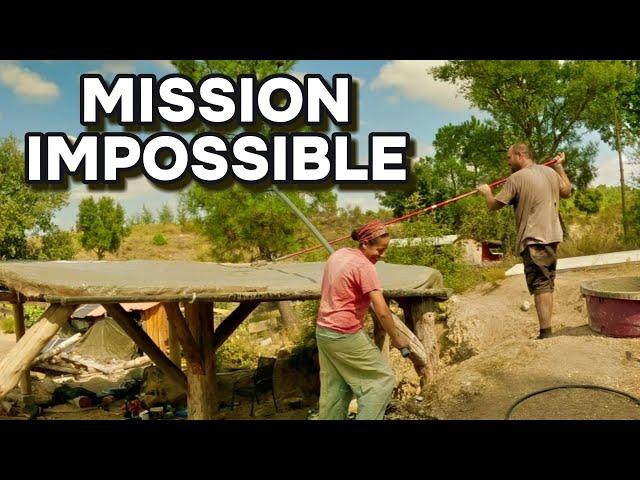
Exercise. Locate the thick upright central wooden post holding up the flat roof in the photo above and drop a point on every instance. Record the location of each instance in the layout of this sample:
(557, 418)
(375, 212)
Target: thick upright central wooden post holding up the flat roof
(202, 400)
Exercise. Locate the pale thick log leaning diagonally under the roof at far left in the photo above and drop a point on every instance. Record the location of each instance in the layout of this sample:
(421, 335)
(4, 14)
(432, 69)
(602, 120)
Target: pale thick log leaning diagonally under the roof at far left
(20, 357)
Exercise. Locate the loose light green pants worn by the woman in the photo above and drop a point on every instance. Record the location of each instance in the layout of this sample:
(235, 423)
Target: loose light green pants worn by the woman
(350, 364)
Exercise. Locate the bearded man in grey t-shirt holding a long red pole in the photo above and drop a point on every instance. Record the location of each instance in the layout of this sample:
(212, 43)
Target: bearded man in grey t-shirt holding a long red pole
(535, 191)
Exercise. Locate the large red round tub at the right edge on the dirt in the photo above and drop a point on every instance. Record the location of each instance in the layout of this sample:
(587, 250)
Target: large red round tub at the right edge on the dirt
(613, 305)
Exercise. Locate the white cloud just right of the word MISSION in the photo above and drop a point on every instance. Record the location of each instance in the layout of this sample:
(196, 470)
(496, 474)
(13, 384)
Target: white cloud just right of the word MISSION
(412, 78)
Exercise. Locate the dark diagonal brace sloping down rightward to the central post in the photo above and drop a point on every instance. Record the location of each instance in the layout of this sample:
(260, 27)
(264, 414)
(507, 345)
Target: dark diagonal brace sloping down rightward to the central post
(148, 346)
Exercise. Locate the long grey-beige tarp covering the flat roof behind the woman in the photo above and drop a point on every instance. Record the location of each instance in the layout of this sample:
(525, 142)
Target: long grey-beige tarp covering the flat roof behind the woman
(158, 280)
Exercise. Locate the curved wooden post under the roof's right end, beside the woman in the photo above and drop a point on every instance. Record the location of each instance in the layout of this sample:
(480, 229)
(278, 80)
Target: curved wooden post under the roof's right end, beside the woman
(422, 314)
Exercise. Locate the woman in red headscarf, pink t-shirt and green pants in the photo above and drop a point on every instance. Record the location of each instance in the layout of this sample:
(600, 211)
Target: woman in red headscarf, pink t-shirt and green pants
(350, 363)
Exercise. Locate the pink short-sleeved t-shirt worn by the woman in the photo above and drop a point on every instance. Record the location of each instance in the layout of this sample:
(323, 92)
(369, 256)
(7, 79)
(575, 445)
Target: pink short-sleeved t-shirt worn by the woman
(348, 279)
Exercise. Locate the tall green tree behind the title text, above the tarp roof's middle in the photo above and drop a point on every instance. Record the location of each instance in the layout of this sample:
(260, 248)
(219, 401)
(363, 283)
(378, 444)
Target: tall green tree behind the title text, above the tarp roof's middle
(240, 222)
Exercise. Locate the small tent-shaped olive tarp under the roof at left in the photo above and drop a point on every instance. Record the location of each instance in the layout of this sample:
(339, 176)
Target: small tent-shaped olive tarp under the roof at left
(106, 341)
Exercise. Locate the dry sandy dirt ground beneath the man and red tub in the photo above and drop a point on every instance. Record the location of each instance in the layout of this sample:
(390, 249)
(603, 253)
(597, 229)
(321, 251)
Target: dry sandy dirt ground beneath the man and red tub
(490, 357)
